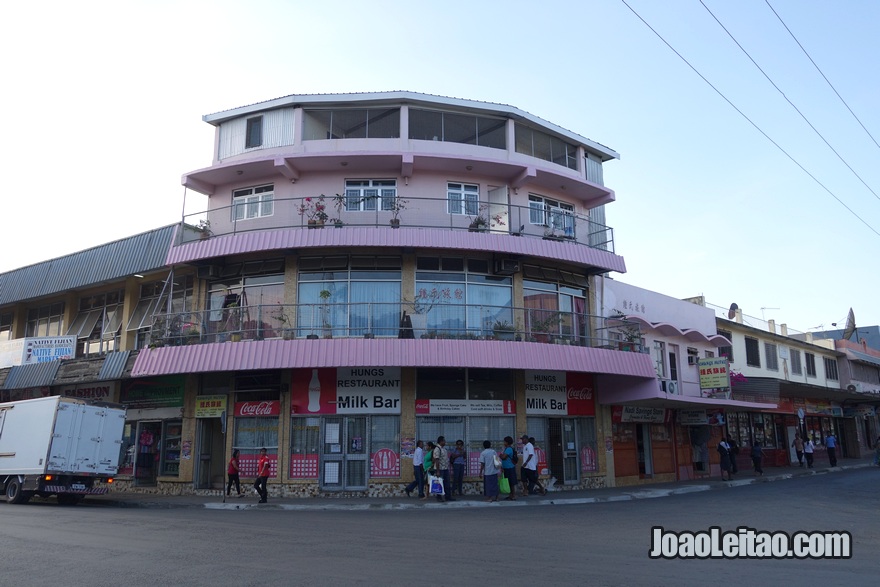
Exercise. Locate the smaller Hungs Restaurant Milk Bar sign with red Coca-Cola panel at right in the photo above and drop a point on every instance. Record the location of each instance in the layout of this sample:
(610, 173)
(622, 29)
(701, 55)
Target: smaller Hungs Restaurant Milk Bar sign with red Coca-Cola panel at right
(559, 393)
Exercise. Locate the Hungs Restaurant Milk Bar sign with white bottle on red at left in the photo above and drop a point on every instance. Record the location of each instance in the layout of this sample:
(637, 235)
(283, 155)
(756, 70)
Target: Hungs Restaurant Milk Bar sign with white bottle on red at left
(374, 390)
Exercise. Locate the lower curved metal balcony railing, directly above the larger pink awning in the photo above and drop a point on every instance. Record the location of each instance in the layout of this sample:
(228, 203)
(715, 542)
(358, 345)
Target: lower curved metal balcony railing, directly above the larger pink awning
(392, 320)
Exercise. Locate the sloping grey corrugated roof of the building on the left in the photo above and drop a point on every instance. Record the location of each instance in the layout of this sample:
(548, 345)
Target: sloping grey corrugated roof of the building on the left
(136, 254)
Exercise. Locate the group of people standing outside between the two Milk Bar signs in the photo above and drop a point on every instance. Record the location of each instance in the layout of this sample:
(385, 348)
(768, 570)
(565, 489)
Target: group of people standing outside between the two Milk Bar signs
(431, 470)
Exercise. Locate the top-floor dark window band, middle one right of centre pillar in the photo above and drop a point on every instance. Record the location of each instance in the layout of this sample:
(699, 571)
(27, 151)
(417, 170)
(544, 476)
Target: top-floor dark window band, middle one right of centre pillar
(432, 125)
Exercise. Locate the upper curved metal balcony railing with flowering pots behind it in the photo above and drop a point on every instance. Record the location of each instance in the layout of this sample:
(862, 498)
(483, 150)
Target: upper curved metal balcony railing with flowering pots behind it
(337, 212)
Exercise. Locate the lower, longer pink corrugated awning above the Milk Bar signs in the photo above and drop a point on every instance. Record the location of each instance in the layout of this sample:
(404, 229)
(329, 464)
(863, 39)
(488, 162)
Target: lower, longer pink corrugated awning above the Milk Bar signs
(358, 352)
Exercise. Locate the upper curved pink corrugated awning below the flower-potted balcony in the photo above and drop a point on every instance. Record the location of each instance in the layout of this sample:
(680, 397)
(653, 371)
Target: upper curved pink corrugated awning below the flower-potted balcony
(297, 238)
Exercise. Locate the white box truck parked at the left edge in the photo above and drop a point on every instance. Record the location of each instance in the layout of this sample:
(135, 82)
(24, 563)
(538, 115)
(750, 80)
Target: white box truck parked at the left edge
(59, 446)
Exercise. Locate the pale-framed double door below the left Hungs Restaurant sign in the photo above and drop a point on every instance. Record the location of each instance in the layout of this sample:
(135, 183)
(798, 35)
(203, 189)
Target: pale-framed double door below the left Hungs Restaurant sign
(344, 462)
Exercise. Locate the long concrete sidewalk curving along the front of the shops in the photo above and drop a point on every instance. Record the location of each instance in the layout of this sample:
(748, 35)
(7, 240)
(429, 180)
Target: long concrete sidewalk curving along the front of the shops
(249, 501)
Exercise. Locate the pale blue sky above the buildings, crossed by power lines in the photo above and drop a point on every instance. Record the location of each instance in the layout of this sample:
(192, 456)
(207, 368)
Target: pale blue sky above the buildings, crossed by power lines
(103, 104)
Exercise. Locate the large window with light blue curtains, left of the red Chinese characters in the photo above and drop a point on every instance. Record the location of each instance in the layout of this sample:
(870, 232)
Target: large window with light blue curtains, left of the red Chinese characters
(349, 296)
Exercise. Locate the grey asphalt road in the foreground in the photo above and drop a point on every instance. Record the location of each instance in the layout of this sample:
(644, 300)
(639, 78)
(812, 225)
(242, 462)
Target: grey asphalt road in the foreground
(593, 544)
